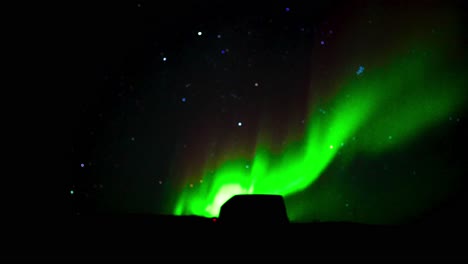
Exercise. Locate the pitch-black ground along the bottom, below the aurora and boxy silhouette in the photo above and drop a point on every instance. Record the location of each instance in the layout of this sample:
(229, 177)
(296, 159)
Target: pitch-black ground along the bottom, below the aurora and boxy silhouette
(133, 237)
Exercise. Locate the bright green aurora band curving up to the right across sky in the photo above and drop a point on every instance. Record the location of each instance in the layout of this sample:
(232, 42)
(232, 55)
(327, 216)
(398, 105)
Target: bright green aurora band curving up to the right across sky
(384, 108)
